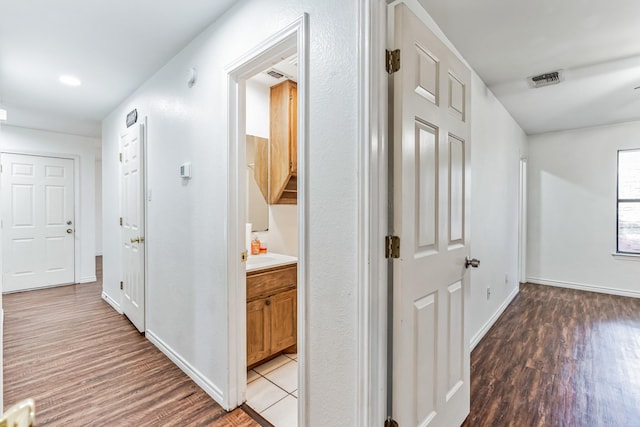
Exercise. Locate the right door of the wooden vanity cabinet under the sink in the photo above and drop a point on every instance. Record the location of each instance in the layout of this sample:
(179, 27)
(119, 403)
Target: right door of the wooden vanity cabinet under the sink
(283, 320)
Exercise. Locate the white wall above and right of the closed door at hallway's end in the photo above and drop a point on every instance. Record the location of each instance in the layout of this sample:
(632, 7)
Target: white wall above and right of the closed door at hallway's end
(30, 141)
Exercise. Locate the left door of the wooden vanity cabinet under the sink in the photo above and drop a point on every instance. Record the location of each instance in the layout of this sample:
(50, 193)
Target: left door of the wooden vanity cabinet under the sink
(258, 330)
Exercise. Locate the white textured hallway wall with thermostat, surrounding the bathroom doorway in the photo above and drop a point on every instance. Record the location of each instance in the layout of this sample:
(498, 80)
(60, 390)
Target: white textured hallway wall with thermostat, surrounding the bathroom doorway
(186, 229)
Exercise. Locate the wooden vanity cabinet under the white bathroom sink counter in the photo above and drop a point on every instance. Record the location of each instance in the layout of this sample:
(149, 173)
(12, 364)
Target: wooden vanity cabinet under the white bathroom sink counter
(271, 312)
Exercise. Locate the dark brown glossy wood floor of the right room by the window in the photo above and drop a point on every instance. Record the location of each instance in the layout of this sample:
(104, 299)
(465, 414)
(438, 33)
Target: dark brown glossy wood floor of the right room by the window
(559, 357)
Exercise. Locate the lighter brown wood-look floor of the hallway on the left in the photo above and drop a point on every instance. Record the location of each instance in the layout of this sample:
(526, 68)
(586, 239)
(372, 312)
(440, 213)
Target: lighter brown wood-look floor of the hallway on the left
(85, 365)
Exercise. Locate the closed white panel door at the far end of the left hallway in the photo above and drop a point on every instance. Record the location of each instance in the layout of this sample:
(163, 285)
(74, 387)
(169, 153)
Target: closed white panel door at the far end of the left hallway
(37, 221)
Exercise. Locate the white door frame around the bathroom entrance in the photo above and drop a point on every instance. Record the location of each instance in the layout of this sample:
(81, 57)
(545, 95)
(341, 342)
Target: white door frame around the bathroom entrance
(293, 38)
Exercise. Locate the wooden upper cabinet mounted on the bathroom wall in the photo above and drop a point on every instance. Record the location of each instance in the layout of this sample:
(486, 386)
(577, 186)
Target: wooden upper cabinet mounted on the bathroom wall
(283, 140)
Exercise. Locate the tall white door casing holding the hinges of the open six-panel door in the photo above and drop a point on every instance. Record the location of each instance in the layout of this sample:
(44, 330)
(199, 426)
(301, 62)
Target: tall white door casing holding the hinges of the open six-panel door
(373, 214)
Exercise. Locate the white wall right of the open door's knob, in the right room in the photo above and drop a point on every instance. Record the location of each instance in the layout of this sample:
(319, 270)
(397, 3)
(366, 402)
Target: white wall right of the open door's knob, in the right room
(497, 144)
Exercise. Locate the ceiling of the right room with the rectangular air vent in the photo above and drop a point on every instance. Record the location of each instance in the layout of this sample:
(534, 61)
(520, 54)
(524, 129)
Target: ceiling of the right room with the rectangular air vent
(596, 43)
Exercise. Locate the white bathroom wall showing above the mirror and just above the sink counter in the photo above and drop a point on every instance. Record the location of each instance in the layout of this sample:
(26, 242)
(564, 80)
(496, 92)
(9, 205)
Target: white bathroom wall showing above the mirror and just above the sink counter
(282, 236)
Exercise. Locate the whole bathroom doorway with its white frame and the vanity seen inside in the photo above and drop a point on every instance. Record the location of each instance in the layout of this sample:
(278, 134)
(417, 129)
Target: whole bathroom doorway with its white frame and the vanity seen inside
(268, 293)
